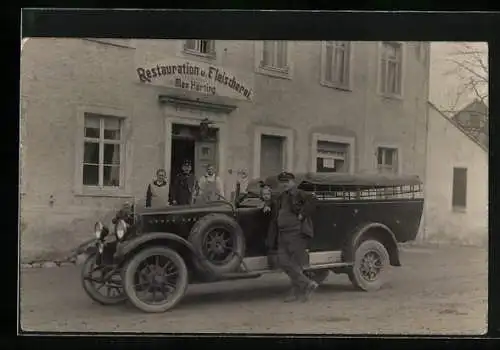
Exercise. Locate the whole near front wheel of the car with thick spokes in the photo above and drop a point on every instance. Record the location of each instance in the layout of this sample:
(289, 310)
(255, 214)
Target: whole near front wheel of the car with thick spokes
(155, 279)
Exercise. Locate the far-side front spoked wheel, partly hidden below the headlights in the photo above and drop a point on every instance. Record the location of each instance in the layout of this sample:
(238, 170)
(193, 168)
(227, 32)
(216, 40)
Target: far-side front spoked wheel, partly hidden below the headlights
(105, 292)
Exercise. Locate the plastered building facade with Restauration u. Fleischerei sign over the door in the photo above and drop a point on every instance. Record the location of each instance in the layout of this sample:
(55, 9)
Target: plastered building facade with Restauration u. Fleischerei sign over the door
(100, 116)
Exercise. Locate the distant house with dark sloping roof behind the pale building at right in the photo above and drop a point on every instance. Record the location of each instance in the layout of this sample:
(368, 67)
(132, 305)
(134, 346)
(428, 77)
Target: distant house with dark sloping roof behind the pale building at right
(474, 120)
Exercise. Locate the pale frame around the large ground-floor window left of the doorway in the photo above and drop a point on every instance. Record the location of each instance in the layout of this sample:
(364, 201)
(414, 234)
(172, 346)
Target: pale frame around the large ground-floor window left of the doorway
(124, 189)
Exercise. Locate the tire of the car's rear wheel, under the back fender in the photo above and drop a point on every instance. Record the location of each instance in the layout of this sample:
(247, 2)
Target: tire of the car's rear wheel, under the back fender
(359, 276)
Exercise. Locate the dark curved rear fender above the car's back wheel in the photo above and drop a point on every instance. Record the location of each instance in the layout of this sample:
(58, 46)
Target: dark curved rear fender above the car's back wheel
(389, 242)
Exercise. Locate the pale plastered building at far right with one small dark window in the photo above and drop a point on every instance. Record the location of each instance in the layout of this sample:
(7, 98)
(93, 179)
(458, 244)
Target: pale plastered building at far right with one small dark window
(456, 186)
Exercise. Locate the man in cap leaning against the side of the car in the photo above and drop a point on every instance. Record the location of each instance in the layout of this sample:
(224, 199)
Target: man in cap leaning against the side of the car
(292, 220)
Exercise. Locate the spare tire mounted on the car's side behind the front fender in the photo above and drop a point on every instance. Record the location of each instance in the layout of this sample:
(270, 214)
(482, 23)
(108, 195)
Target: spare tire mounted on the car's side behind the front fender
(204, 231)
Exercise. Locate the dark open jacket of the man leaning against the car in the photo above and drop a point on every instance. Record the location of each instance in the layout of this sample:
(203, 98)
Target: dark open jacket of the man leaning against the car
(302, 203)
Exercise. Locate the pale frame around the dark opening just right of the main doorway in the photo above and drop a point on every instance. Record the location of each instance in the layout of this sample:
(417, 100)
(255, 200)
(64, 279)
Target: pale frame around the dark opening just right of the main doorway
(288, 147)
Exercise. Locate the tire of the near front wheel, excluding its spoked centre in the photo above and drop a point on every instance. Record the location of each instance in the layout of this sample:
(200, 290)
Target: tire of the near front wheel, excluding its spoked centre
(180, 284)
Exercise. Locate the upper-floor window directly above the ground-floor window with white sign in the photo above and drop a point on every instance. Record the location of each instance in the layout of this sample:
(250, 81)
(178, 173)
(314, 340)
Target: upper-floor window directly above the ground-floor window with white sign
(336, 63)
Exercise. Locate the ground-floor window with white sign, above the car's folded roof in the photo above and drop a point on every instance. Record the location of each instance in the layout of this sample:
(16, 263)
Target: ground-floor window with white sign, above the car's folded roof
(331, 157)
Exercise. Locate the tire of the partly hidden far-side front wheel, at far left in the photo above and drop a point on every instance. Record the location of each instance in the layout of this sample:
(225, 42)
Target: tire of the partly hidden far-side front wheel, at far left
(93, 292)
